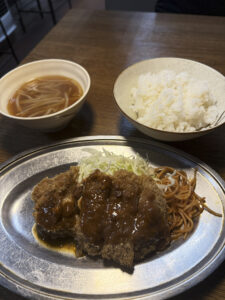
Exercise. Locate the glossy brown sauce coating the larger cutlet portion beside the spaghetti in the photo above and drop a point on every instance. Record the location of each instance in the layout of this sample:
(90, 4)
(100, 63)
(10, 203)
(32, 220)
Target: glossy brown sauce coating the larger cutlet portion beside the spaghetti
(111, 210)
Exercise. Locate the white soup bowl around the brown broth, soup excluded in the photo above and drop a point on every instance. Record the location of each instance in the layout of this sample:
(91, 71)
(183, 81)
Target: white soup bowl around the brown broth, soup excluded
(18, 76)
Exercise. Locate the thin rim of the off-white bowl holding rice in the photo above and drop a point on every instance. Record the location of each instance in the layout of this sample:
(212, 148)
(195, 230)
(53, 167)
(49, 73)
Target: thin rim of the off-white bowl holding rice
(159, 130)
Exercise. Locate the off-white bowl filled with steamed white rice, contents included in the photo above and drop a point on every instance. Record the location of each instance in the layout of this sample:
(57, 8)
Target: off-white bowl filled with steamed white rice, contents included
(171, 99)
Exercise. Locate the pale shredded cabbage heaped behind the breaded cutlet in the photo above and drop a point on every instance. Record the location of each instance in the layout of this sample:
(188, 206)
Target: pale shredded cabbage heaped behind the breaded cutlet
(108, 162)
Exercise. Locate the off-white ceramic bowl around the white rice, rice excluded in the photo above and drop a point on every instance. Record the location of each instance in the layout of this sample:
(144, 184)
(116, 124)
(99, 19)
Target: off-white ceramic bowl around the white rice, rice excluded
(128, 79)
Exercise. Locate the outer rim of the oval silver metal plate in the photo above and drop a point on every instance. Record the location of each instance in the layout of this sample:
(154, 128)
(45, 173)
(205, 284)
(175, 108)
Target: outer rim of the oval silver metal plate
(36, 293)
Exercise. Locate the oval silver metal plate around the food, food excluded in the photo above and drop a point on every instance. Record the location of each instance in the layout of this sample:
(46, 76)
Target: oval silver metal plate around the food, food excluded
(34, 271)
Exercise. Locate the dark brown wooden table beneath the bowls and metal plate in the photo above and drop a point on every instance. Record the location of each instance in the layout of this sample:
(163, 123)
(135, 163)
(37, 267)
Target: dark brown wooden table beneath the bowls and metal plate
(105, 43)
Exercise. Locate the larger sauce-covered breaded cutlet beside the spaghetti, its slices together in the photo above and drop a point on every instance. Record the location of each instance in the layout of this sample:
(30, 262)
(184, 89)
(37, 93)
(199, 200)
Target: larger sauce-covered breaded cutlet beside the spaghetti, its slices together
(122, 217)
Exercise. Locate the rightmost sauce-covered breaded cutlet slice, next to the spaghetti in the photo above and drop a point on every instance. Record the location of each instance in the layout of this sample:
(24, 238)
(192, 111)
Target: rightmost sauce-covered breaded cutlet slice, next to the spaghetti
(151, 229)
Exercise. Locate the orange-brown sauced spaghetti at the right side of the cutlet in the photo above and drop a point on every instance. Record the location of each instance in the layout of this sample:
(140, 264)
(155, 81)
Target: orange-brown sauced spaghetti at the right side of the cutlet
(184, 205)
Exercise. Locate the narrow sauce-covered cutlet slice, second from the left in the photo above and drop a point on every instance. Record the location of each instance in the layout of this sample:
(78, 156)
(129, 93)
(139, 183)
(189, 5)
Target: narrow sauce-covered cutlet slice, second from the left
(91, 220)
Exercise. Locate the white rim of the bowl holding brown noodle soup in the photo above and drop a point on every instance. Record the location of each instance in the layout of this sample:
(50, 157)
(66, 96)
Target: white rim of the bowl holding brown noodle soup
(60, 111)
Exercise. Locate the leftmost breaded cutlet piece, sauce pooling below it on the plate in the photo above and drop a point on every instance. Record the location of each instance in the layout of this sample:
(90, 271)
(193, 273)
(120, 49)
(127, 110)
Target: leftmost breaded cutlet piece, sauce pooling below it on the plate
(56, 204)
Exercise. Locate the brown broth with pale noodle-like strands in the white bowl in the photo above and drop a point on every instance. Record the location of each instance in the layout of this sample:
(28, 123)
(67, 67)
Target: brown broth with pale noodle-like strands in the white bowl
(43, 96)
